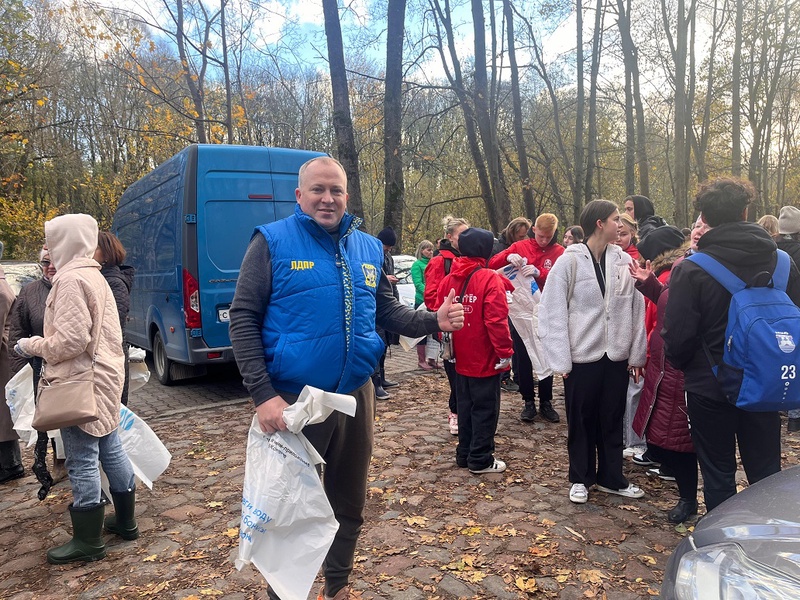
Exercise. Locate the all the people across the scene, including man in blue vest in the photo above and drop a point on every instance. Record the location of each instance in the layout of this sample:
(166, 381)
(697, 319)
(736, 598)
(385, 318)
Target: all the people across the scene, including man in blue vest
(627, 318)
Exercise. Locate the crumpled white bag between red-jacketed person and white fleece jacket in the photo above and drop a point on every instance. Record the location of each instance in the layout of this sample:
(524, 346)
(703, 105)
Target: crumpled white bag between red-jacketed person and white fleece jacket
(524, 314)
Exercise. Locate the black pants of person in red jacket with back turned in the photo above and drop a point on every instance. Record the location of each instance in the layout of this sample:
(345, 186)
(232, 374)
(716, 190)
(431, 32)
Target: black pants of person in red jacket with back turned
(478, 412)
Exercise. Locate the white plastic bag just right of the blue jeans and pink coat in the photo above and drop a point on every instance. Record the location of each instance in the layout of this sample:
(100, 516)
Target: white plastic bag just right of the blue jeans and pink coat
(148, 455)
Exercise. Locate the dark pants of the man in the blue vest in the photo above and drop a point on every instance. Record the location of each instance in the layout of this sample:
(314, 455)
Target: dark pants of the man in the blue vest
(346, 445)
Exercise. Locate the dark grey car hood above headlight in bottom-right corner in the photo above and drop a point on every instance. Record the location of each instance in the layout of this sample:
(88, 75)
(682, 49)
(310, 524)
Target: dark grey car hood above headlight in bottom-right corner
(764, 520)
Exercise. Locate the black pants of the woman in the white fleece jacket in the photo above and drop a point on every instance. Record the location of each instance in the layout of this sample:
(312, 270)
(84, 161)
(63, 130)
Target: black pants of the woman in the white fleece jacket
(595, 400)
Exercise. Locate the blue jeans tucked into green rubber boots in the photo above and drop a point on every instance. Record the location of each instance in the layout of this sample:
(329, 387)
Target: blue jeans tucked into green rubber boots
(84, 455)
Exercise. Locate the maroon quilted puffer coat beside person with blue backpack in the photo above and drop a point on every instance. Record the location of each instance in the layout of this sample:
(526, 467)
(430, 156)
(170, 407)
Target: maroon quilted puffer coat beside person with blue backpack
(661, 415)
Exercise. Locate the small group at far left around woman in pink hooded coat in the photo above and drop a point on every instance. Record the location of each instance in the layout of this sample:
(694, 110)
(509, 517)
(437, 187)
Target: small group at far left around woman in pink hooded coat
(68, 326)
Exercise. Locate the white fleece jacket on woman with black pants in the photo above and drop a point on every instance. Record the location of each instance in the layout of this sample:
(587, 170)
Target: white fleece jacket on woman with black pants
(582, 328)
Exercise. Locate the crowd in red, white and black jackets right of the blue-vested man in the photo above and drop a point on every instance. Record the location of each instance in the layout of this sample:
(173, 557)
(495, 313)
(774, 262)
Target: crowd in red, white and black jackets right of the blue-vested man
(625, 320)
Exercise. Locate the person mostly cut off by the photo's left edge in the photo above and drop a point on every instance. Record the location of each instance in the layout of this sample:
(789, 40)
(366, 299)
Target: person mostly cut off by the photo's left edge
(10, 459)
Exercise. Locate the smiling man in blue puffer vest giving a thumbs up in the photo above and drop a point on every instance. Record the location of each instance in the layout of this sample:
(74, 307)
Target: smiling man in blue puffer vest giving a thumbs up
(309, 294)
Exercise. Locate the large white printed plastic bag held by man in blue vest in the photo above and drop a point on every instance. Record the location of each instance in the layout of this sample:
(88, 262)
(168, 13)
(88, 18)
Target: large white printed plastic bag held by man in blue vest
(287, 522)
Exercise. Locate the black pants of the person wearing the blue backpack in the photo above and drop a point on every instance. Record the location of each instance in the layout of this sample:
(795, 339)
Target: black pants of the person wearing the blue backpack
(716, 426)
